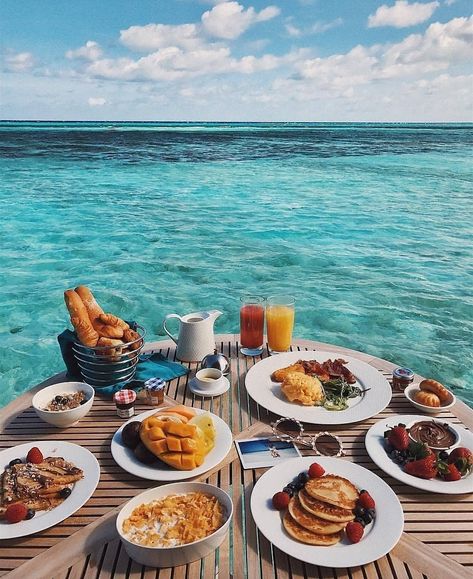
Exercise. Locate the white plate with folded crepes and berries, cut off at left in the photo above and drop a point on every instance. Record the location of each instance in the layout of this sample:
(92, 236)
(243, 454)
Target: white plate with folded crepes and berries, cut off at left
(43, 483)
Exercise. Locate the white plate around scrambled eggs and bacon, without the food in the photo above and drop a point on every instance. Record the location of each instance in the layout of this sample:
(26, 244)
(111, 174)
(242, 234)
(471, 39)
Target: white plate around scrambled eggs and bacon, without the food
(268, 393)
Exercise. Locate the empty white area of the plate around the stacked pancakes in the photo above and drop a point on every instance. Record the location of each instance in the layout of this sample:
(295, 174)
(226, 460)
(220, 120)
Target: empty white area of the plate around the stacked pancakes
(379, 538)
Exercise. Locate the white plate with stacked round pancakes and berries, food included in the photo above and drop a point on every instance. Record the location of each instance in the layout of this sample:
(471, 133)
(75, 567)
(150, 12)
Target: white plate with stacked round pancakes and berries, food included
(327, 511)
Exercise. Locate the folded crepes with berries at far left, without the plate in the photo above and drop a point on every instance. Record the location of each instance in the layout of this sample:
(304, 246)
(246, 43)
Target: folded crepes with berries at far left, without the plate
(36, 484)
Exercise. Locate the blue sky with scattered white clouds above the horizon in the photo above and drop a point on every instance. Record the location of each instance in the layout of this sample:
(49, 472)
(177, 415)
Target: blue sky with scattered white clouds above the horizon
(281, 60)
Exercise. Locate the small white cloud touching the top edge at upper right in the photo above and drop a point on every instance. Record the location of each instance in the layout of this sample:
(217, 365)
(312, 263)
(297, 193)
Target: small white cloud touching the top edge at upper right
(402, 14)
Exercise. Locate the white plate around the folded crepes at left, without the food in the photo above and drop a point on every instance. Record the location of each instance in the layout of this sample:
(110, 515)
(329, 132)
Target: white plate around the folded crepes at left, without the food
(81, 492)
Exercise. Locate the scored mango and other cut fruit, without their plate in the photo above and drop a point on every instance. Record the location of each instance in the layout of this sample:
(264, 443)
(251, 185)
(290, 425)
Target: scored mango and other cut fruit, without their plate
(177, 436)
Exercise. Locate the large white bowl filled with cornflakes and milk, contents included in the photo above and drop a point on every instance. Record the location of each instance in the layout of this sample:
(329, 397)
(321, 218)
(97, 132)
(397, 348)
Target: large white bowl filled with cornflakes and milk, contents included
(174, 524)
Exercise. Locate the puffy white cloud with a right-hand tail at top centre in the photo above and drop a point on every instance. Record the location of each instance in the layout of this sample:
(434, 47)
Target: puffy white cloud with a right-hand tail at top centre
(229, 20)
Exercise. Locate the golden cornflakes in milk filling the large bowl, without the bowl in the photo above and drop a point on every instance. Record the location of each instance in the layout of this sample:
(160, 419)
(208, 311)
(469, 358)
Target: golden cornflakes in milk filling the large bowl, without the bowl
(174, 520)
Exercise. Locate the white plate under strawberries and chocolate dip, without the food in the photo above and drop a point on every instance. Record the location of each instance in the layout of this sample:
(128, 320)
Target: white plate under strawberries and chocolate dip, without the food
(374, 442)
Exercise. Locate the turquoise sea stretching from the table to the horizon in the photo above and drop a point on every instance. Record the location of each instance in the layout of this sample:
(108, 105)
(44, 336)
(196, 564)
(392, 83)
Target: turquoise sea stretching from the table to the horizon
(369, 226)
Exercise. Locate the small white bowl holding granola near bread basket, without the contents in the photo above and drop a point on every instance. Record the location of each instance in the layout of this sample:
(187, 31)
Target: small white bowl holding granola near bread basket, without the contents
(62, 418)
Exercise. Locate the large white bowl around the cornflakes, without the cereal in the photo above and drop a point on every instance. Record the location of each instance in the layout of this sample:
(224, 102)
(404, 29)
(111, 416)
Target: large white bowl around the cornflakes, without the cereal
(182, 554)
